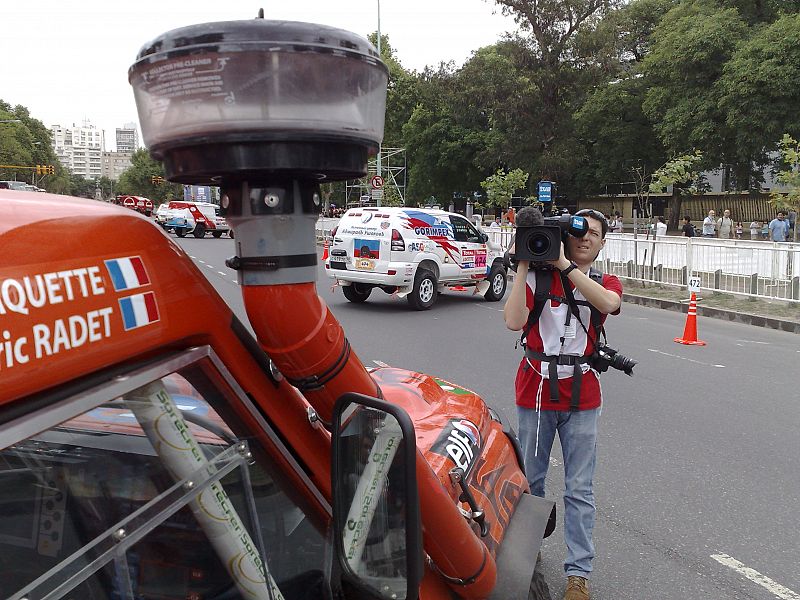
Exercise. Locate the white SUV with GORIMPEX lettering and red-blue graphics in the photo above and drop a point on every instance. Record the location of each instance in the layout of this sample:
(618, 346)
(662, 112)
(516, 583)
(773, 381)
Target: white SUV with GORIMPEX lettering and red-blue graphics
(412, 252)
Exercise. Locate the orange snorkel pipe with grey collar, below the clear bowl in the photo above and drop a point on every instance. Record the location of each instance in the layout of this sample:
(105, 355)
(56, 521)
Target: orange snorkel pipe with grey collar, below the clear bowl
(276, 261)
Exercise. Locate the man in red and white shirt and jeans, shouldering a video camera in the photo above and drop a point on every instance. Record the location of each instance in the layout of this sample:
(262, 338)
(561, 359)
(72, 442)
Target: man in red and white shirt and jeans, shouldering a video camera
(560, 344)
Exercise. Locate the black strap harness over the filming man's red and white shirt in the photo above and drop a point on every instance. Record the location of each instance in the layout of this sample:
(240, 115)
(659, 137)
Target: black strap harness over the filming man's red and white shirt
(543, 294)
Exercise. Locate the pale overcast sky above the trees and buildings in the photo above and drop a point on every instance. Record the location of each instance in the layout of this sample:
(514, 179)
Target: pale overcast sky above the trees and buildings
(68, 61)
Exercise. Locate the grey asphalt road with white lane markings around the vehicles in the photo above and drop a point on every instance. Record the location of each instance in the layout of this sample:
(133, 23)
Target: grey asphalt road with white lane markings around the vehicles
(698, 452)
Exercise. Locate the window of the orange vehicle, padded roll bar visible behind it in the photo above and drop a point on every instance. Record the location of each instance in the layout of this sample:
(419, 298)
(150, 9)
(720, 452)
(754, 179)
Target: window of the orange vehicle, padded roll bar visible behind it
(156, 493)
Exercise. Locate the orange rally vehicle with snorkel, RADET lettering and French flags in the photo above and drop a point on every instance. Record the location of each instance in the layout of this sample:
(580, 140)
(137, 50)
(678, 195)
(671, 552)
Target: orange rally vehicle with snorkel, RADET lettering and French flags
(151, 448)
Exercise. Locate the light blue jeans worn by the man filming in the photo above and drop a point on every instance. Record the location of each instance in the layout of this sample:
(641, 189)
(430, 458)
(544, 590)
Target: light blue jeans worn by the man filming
(577, 432)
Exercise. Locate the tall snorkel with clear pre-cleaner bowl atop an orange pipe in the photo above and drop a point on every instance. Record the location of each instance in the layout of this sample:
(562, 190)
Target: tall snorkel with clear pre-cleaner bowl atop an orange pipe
(268, 110)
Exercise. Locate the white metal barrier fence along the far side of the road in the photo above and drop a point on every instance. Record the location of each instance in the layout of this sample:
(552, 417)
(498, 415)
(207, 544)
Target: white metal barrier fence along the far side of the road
(752, 268)
